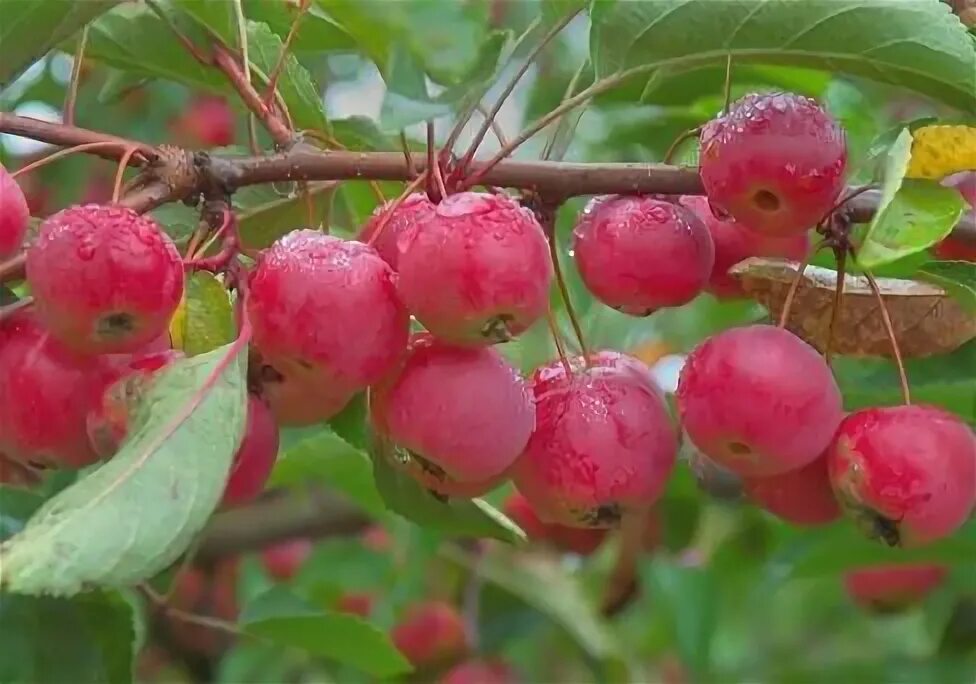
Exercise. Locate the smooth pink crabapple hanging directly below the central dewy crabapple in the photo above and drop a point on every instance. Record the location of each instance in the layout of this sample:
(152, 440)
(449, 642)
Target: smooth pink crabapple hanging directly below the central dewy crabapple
(463, 414)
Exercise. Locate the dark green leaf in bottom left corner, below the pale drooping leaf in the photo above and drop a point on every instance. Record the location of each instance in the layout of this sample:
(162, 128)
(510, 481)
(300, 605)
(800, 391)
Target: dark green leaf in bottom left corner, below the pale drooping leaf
(88, 638)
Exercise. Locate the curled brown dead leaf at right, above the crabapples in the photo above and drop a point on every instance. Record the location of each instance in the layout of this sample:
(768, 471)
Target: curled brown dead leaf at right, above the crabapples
(925, 319)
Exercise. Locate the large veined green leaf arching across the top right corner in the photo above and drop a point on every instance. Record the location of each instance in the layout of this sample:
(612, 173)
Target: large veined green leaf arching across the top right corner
(917, 45)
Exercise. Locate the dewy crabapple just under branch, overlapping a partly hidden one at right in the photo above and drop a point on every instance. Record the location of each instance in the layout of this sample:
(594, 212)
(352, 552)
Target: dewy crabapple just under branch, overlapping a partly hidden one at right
(638, 254)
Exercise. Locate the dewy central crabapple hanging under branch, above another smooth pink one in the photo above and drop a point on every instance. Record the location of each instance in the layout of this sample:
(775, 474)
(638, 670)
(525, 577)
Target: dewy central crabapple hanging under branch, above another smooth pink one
(477, 270)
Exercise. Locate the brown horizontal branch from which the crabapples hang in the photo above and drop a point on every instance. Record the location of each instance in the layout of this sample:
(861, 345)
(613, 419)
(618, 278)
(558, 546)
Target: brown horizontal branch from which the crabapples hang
(548, 178)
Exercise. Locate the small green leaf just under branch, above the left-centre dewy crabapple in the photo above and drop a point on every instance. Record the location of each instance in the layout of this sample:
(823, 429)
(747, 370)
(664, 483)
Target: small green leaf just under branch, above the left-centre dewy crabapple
(268, 219)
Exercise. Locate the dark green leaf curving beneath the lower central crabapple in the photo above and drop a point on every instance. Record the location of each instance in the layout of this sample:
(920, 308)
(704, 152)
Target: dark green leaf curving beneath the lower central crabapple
(456, 517)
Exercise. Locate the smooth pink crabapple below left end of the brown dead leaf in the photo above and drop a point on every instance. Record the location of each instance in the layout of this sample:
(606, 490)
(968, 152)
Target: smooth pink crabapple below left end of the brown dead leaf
(758, 400)
